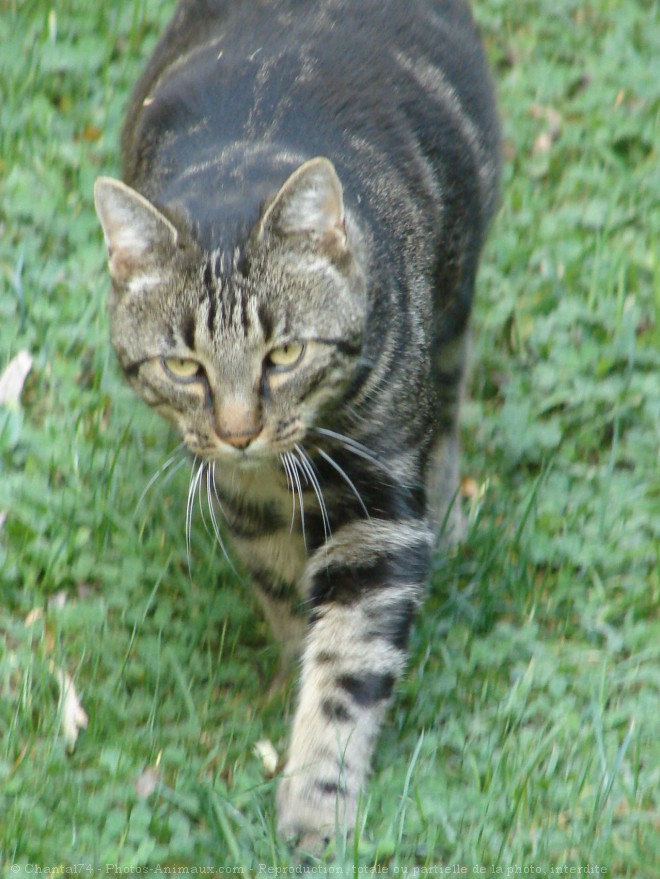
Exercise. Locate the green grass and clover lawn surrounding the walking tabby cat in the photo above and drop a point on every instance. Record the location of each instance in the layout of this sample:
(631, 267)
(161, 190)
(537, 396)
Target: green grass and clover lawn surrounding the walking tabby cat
(524, 739)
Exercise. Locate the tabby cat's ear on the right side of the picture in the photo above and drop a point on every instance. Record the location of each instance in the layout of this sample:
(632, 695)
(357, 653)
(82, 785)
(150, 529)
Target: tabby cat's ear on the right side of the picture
(311, 203)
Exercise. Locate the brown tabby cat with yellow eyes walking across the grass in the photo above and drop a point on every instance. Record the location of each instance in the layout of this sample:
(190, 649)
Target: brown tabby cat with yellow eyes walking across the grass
(293, 248)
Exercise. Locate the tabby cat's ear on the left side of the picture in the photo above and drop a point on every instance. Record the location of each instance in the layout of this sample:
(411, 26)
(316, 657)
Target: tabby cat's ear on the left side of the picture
(136, 233)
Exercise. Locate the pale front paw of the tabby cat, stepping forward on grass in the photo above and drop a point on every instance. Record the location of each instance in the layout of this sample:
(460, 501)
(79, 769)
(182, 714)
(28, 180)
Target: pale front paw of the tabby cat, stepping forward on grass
(310, 812)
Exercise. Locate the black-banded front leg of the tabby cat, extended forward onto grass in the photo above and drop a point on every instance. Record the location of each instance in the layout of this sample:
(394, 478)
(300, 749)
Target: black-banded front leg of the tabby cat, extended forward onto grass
(363, 588)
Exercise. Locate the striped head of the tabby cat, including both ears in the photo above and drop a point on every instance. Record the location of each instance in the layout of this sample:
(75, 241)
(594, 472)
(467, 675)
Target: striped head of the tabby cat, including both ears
(243, 352)
